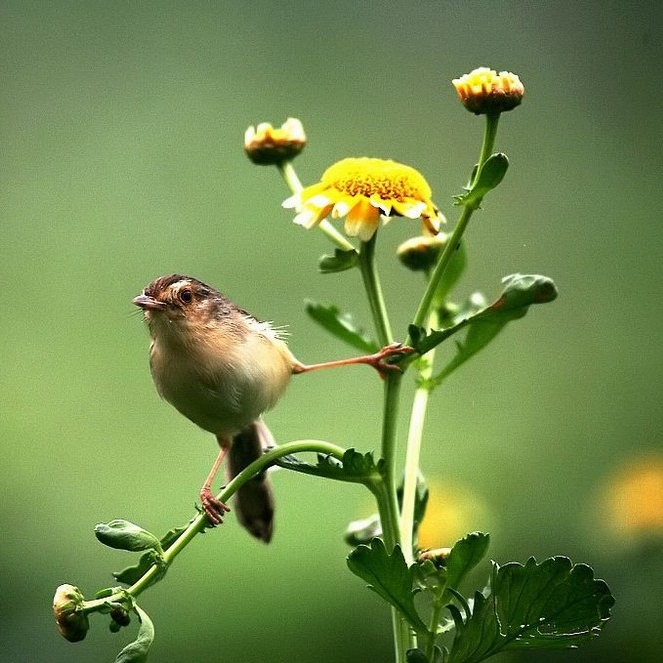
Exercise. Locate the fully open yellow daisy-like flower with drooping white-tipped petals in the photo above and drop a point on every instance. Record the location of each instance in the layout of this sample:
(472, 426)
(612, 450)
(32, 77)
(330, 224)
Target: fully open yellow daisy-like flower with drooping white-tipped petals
(362, 190)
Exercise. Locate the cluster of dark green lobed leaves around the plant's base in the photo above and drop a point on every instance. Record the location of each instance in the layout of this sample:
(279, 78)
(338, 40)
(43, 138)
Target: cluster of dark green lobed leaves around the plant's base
(551, 604)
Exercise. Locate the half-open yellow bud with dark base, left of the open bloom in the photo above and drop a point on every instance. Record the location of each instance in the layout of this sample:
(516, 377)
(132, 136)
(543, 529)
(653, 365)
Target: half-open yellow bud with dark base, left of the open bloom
(267, 146)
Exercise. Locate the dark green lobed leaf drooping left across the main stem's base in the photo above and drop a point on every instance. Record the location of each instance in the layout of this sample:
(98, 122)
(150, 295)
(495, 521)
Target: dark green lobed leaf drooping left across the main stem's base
(388, 576)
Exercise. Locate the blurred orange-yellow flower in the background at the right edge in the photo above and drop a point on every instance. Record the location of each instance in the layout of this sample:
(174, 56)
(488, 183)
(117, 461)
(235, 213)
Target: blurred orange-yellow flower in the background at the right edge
(635, 497)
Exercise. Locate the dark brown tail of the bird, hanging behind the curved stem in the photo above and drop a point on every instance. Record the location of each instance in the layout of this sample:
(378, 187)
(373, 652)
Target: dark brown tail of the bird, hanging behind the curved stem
(254, 501)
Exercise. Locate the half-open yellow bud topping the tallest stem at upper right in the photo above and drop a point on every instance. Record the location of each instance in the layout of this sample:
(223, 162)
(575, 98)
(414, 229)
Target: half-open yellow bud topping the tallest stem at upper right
(484, 91)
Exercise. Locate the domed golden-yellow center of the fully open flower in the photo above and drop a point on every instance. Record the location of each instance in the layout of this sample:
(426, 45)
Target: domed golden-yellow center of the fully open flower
(368, 177)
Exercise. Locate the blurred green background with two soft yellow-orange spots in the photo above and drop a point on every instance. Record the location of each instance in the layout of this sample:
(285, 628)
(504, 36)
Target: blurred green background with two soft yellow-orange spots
(121, 159)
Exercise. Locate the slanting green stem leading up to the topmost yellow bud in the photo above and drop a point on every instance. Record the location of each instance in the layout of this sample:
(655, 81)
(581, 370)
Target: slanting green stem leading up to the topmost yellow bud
(490, 133)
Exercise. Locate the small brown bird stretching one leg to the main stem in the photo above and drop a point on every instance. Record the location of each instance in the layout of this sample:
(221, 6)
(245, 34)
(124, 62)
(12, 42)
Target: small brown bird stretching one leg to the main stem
(222, 368)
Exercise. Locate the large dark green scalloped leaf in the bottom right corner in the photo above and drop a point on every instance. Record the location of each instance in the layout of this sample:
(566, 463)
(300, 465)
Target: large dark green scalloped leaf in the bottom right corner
(548, 605)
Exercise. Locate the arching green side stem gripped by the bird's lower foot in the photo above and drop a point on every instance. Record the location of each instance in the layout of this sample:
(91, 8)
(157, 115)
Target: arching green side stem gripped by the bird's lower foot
(200, 522)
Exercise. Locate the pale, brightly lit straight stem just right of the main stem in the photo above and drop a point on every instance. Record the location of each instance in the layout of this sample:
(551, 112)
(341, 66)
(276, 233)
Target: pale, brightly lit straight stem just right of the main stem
(413, 447)
